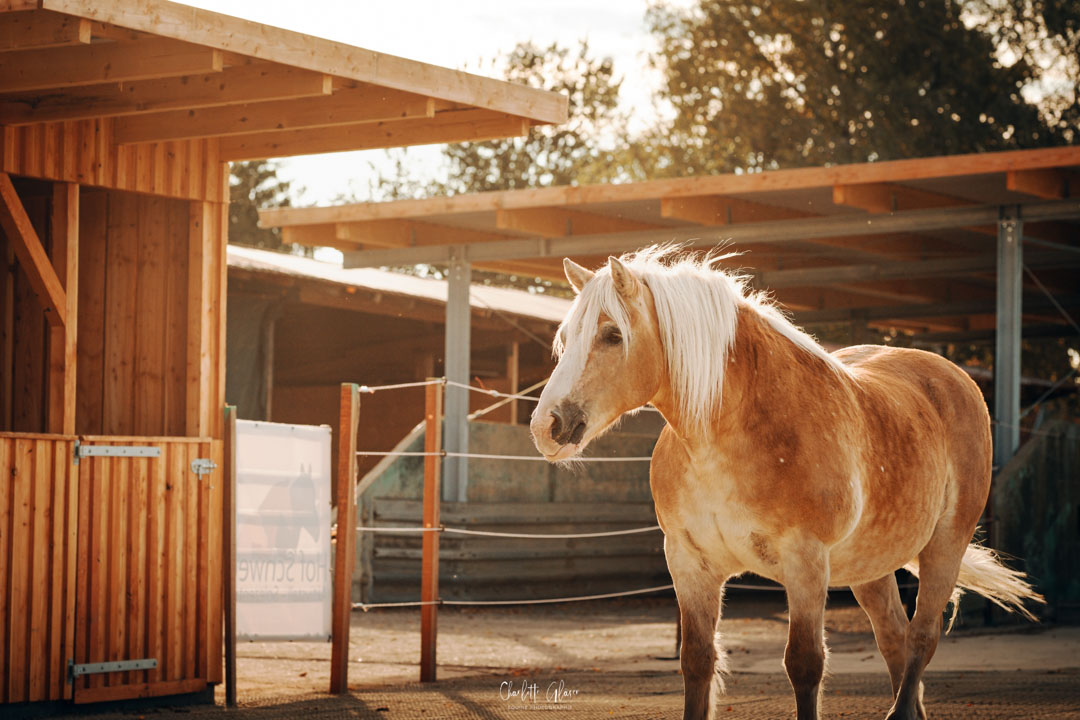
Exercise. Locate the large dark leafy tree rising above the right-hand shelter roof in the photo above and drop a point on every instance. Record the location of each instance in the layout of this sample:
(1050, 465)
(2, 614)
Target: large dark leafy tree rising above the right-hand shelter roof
(773, 84)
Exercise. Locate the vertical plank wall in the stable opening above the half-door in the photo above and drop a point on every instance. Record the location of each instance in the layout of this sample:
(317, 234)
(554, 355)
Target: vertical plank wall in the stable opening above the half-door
(136, 366)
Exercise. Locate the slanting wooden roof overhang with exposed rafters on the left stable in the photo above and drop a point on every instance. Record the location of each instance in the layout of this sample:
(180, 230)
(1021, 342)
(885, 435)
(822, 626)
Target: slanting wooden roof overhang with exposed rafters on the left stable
(155, 73)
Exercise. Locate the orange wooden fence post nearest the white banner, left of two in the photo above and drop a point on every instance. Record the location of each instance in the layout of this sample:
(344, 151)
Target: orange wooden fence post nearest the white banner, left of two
(345, 551)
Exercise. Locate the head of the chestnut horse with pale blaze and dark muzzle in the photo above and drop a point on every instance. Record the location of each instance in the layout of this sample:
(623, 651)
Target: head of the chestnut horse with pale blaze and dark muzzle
(611, 360)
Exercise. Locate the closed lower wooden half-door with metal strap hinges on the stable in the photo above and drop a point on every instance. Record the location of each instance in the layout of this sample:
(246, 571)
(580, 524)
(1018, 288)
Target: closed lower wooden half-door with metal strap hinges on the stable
(150, 572)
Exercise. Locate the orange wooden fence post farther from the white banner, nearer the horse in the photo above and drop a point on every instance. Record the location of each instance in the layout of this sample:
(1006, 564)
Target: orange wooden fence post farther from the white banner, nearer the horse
(433, 495)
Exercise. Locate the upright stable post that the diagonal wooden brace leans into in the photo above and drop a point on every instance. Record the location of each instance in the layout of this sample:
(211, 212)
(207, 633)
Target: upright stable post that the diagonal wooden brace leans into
(62, 339)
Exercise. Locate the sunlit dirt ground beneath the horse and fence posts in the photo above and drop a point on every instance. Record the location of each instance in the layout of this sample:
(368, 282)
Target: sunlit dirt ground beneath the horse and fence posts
(616, 660)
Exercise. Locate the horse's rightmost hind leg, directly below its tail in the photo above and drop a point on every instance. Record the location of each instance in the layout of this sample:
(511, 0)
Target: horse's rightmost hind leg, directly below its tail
(939, 568)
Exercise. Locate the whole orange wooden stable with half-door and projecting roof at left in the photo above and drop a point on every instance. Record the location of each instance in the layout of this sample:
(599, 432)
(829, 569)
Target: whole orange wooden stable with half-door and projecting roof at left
(118, 121)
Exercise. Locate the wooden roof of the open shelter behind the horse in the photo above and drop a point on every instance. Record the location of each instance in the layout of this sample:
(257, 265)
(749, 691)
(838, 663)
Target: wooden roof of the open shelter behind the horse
(907, 244)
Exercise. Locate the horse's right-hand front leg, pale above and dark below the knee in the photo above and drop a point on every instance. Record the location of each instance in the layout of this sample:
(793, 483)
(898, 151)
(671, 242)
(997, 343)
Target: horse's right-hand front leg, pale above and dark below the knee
(806, 580)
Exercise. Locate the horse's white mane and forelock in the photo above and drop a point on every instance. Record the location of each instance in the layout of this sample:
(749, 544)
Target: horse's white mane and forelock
(697, 308)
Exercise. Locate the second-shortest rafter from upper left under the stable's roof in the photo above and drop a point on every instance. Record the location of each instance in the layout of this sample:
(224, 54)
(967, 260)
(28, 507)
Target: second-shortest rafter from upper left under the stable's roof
(105, 62)
